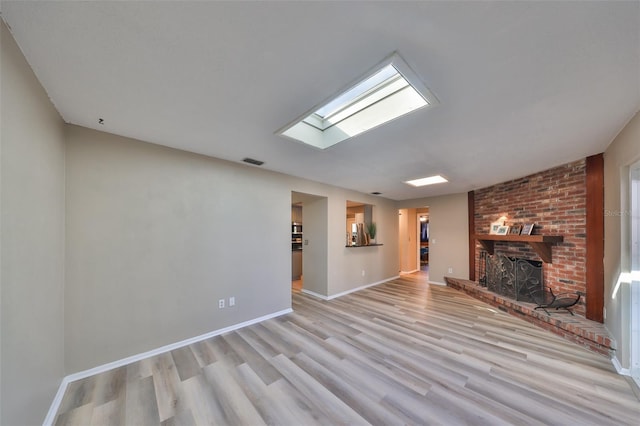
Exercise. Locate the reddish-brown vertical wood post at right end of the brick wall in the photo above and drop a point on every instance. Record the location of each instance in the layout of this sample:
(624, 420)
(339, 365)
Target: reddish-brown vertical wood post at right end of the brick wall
(595, 237)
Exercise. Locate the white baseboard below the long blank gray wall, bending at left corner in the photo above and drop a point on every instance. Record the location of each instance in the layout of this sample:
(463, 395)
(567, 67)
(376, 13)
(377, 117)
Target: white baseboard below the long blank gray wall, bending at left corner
(55, 405)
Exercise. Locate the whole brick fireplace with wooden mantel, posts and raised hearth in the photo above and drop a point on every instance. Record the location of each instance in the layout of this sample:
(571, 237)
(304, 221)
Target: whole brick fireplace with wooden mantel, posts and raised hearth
(566, 203)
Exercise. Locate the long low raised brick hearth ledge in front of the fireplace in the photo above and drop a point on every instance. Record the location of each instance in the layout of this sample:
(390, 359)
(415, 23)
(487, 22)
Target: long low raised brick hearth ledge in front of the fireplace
(590, 334)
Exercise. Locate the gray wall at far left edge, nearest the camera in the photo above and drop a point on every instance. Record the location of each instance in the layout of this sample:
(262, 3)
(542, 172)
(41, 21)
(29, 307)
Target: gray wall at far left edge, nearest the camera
(32, 226)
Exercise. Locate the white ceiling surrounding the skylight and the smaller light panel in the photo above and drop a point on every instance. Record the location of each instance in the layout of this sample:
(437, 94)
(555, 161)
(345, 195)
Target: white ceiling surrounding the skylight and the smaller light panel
(523, 86)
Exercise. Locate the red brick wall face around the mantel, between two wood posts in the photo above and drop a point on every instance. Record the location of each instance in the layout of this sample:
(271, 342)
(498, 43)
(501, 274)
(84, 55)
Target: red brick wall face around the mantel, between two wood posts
(555, 200)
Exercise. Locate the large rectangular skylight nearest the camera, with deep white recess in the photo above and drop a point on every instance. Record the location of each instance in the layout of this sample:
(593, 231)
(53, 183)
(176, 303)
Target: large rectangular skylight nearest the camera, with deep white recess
(390, 90)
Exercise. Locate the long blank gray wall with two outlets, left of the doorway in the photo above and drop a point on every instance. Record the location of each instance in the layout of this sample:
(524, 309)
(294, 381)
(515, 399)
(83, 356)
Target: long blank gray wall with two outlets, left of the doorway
(156, 236)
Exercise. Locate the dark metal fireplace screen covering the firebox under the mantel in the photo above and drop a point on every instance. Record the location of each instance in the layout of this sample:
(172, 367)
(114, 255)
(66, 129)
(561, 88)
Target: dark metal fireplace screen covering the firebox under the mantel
(513, 277)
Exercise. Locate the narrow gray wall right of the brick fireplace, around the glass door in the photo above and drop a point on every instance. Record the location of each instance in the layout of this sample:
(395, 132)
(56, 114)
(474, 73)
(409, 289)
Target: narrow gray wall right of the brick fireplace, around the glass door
(623, 152)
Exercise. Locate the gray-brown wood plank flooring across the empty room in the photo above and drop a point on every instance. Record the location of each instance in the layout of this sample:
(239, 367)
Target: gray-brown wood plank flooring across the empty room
(403, 352)
